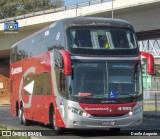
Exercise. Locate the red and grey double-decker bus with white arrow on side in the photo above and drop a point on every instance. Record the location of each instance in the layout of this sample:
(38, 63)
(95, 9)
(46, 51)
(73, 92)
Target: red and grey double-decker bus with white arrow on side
(79, 73)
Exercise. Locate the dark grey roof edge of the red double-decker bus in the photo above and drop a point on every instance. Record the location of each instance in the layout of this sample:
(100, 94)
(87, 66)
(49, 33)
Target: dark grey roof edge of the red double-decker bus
(82, 21)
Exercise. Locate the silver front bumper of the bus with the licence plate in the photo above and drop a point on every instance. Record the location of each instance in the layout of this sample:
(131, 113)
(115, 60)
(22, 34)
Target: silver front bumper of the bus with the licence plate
(80, 122)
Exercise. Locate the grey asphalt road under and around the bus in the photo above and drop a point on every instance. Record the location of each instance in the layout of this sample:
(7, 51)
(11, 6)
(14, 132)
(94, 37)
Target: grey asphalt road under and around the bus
(13, 123)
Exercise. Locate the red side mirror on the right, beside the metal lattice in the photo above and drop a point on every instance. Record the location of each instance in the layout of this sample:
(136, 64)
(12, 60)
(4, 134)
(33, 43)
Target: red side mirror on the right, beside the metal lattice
(150, 61)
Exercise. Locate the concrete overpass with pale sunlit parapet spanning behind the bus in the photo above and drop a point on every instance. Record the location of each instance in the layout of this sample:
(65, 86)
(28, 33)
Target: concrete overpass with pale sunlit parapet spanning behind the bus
(143, 14)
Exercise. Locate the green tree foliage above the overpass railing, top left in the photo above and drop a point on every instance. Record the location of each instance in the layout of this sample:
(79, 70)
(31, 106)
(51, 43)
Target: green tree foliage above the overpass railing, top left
(11, 8)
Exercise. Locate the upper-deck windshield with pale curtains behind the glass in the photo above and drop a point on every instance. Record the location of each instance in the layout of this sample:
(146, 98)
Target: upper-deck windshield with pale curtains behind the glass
(102, 38)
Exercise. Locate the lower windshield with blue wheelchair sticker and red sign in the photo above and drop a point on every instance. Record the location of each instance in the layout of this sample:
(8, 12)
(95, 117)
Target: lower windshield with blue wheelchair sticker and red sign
(109, 80)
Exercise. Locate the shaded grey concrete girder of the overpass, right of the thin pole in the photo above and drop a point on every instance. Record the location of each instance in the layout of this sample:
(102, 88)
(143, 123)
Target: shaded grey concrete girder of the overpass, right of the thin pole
(142, 19)
